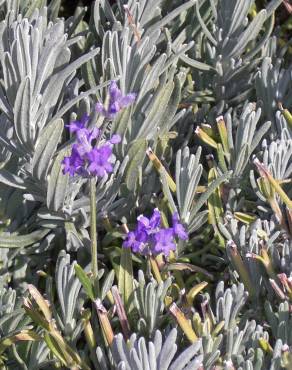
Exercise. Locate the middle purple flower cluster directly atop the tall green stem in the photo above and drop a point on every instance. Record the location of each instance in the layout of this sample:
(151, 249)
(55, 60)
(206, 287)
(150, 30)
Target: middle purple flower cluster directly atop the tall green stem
(87, 159)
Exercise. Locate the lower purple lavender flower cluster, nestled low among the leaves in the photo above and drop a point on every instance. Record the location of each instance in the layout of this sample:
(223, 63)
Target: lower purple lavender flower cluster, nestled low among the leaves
(150, 238)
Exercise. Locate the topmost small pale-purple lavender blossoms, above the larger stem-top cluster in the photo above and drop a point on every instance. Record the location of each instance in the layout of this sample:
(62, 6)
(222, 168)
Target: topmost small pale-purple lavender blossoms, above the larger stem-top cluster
(116, 101)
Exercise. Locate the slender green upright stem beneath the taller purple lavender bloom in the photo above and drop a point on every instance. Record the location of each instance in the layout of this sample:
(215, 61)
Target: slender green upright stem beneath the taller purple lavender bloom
(93, 234)
